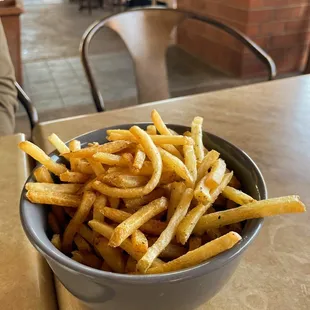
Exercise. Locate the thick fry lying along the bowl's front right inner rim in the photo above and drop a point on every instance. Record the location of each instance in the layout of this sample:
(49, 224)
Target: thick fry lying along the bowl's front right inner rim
(197, 256)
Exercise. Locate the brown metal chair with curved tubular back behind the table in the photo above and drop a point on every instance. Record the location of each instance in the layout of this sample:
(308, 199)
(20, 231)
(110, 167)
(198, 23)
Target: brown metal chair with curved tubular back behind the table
(146, 33)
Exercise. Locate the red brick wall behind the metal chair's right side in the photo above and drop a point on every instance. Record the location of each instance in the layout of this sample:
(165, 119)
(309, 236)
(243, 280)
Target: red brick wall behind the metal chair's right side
(280, 27)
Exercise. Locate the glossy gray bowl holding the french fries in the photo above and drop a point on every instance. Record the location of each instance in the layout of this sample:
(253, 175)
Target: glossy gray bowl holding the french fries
(185, 289)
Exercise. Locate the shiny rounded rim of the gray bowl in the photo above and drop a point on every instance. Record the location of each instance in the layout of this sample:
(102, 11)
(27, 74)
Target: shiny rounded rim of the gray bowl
(51, 252)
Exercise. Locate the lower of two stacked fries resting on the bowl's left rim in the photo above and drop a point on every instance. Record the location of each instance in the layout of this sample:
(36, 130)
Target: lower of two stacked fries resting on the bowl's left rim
(54, 198)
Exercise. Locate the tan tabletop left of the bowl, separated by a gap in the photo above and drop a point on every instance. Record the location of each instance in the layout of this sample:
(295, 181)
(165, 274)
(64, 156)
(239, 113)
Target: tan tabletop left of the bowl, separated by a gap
(25, 278)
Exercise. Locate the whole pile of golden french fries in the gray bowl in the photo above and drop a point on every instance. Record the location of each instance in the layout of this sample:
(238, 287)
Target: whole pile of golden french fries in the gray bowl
(146, 202)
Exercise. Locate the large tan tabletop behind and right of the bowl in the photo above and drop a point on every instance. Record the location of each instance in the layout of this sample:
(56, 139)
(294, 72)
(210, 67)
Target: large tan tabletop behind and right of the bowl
(271, 122)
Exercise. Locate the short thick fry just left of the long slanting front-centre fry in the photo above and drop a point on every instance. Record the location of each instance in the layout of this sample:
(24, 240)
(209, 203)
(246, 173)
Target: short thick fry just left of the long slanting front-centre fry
(126, 228)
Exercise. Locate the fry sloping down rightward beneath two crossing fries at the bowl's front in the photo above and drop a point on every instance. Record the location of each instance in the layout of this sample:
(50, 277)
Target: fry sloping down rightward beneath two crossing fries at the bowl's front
(107, 231)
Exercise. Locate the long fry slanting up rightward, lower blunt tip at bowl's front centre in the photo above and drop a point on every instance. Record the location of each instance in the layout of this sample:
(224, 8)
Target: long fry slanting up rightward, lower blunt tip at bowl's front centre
(166, 236)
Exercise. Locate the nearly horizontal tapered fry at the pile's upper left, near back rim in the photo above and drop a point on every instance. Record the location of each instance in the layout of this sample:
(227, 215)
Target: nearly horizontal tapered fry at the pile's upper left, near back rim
(110, 147)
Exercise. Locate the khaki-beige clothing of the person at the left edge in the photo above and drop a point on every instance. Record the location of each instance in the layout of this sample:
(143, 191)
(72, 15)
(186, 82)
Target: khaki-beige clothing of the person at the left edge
(8, 94)
